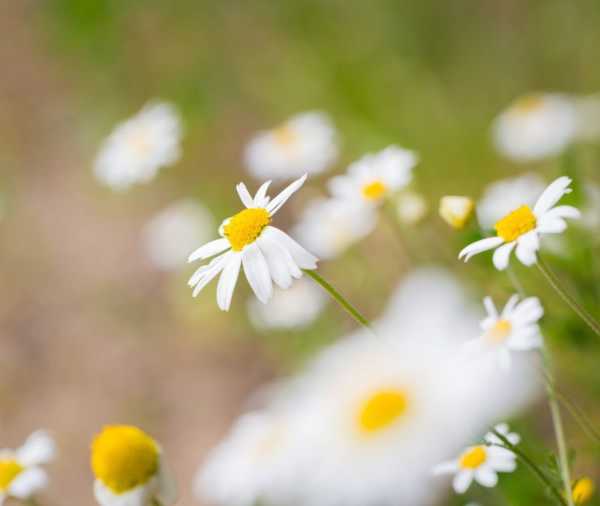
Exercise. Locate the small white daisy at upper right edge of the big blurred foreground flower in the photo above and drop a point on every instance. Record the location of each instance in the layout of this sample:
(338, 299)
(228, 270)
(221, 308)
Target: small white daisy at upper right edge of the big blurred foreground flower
(514, 329)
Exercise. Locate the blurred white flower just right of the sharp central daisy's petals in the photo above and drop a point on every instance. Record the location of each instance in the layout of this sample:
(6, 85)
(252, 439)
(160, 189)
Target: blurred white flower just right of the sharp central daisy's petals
(329, 226)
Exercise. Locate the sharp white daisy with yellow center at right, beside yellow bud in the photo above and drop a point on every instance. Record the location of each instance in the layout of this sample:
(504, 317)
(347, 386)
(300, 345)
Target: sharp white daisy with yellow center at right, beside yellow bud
(523, 227)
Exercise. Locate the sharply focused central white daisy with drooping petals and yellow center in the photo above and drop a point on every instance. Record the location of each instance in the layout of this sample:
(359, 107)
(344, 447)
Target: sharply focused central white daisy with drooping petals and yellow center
(249, 241)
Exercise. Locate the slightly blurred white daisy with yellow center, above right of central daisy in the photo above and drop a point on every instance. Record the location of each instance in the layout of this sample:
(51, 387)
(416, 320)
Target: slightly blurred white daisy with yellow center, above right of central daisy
(375, 177)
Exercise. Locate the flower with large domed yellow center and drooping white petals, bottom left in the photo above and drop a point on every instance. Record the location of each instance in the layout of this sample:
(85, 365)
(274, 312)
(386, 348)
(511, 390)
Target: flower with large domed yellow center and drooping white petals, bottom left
(129, 469)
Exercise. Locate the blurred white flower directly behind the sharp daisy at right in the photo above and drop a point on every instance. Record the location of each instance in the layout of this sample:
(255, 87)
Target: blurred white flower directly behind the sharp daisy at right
(501, 197)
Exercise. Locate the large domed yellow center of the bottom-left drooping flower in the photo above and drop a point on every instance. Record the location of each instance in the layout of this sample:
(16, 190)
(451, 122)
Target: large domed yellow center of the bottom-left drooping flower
(124, 457)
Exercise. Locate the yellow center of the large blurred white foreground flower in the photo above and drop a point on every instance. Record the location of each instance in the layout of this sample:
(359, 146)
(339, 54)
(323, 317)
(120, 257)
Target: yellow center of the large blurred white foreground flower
(381, 410)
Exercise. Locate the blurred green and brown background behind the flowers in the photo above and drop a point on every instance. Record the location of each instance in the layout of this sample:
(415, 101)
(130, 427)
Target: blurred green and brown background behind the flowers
(91, 333)
